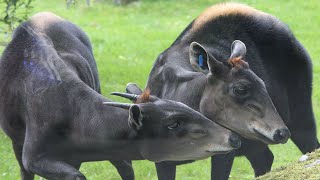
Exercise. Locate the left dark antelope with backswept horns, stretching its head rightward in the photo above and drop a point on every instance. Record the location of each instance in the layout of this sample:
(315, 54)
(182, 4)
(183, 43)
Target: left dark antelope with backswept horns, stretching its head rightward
(52, 110)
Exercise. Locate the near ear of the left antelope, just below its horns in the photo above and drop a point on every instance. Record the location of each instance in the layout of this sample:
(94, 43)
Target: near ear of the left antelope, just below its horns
(135, 118)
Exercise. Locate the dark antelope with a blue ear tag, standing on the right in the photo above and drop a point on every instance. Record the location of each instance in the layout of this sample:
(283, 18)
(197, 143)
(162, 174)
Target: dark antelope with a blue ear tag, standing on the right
(245, 70)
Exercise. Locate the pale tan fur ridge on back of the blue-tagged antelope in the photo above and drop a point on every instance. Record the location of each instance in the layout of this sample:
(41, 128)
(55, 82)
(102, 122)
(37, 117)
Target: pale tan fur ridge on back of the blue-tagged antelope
(224, 9)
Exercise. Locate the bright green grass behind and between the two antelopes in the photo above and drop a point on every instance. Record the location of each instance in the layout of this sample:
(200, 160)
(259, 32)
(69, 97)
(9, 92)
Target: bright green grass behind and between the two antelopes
(126, 41)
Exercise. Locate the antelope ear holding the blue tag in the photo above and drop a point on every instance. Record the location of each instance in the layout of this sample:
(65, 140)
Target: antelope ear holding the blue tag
(202, 61)
